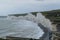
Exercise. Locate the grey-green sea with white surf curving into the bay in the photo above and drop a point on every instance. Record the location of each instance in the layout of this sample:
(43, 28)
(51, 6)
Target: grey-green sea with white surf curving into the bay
(19, 28)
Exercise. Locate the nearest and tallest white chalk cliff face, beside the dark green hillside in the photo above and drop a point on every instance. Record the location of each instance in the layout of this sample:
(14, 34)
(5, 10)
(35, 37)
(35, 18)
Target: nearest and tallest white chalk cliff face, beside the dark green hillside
(44, 21)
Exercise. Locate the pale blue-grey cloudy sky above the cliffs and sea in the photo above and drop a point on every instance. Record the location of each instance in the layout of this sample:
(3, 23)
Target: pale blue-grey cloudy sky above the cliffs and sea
(25, 6)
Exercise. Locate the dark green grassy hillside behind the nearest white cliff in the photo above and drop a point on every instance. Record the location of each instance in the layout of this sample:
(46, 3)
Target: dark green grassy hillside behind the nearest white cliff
(53, 15)
